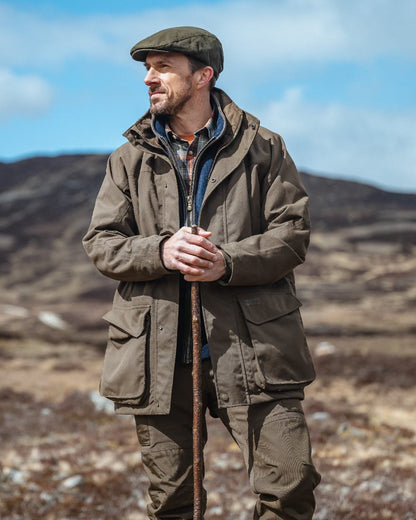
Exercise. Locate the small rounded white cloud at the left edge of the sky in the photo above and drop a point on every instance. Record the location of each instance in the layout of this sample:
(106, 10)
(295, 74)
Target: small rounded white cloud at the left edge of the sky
(28, 95)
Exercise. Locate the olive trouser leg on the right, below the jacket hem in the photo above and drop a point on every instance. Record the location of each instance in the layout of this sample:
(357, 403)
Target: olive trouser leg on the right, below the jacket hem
(274, 439)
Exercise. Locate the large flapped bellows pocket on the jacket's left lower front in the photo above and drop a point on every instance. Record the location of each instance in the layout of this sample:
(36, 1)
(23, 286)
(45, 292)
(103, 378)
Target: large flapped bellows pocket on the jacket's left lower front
(124, 374)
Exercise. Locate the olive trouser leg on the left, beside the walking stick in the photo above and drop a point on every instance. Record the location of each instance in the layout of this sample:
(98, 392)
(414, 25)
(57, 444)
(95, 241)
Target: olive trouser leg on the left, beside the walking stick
(167, 457)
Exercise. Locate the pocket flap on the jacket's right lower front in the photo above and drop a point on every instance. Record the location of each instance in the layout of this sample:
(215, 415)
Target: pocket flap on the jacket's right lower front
(264, 308)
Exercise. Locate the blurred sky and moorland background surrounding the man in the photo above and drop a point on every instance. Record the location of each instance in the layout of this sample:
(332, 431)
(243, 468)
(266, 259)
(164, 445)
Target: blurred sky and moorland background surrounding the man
(337, 80)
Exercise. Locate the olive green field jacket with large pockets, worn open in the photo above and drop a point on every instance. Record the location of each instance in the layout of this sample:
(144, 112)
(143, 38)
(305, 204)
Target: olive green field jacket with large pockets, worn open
(257, 211)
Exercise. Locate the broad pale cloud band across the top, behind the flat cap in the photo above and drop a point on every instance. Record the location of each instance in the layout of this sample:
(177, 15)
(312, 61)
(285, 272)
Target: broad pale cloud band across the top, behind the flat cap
(257, 31)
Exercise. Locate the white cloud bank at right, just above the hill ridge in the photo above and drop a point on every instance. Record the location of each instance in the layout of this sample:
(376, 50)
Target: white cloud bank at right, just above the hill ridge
(375, 146)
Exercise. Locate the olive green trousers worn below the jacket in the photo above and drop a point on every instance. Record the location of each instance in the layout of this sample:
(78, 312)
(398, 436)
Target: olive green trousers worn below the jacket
(273, 438)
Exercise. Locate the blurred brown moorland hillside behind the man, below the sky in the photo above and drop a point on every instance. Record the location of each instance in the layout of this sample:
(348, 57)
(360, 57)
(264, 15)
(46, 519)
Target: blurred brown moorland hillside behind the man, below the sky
(361, 255)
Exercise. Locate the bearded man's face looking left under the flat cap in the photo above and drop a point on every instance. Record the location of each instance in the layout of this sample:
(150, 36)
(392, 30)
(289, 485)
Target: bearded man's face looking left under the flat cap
(170, 82)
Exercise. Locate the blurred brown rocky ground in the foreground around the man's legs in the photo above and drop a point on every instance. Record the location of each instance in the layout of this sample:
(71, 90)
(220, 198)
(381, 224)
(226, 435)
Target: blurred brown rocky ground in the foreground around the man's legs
(64, 455)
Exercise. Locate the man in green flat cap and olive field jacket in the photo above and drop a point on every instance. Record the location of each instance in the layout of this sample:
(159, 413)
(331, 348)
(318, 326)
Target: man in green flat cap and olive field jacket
(196, 158)
